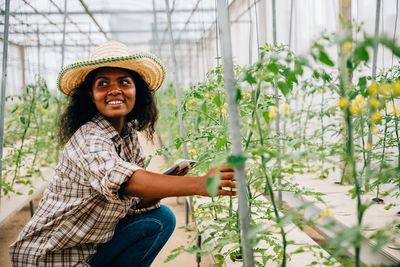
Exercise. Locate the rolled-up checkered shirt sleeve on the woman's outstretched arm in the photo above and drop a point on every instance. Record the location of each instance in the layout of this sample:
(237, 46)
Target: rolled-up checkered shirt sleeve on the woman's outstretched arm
(104, 168)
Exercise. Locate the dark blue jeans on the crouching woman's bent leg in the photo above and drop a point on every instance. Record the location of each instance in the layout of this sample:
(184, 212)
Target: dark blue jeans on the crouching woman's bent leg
(137, 239)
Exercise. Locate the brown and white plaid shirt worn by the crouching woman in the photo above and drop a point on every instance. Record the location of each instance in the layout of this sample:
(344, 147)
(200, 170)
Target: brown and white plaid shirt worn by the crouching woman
(81, 205)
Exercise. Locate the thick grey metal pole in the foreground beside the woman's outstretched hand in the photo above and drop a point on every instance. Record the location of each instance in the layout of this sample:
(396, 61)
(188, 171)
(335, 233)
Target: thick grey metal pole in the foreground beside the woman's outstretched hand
(234, 129)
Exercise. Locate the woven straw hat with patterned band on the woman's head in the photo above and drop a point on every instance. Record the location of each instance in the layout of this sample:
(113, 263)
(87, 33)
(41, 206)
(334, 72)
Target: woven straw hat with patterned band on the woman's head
(113, 54)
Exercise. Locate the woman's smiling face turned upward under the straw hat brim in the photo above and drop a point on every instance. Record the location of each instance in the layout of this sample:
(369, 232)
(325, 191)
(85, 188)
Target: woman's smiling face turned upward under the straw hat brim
(114, 94)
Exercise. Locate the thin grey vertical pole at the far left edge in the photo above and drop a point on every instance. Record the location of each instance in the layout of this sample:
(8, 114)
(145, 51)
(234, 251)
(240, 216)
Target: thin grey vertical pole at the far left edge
(3, 85)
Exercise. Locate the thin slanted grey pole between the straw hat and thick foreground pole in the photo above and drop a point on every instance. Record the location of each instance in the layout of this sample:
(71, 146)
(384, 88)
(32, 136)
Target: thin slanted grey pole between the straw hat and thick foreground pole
(176, 80)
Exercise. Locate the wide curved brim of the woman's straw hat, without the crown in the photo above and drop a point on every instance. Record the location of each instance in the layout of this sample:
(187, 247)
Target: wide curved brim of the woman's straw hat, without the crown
(148, 66)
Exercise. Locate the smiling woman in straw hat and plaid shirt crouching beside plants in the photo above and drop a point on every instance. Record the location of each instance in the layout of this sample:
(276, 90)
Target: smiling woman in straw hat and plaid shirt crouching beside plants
(102, 208)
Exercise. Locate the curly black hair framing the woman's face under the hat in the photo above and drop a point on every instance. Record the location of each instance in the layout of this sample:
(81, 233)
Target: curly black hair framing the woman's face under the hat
(80, 108)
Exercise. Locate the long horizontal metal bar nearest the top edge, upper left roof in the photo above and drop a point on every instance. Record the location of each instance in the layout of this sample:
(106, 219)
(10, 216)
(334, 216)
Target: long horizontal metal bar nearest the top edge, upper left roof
(108, 12)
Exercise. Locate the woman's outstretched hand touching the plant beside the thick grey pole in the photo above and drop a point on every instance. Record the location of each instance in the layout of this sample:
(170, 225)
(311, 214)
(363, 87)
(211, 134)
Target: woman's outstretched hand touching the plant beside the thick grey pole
(226, 184)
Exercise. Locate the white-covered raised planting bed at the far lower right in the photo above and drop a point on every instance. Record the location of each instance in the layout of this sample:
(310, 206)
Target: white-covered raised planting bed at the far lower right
(342, 215)
